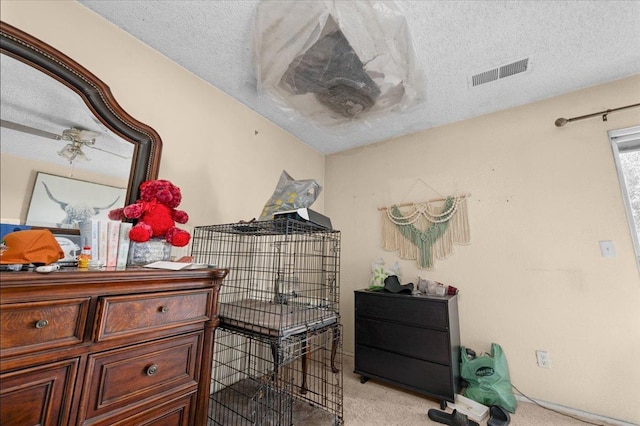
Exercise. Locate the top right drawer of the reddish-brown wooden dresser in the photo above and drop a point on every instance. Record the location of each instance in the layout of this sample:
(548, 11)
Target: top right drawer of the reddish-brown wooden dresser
(130, 315)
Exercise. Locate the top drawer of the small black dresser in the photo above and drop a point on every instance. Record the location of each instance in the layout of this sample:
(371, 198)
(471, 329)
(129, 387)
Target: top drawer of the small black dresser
(415, 310)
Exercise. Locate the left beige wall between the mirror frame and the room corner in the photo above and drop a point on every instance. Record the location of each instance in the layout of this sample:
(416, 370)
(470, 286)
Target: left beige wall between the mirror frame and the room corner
(210, 149)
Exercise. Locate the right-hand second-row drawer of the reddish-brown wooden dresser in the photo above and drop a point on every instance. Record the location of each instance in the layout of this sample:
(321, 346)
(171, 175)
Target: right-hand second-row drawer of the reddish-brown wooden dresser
(141, 374)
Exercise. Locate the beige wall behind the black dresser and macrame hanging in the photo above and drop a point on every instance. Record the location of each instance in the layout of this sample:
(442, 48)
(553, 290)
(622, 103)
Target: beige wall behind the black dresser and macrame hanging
(532, 278)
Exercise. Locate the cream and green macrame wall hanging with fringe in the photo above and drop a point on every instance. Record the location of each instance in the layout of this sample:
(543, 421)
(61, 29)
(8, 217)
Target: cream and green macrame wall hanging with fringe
(426, 231)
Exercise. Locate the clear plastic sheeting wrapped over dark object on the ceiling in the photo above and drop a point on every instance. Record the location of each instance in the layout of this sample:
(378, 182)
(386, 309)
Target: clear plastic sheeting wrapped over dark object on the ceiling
(334, 61)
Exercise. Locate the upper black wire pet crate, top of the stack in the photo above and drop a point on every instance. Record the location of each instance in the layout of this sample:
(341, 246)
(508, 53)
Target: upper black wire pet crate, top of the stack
(283, 274)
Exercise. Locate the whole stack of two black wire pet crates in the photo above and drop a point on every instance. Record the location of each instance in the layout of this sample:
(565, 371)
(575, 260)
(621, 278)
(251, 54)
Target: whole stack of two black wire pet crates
(278, 347)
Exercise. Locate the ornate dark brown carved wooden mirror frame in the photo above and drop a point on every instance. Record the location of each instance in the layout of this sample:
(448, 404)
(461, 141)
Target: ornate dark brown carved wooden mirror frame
(96, 95)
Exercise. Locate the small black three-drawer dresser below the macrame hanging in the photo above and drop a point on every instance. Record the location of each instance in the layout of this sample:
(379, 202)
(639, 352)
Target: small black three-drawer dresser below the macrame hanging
(409, 341)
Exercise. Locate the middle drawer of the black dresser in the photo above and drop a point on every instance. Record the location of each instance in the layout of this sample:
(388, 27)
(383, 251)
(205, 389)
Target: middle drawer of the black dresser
(422, 343)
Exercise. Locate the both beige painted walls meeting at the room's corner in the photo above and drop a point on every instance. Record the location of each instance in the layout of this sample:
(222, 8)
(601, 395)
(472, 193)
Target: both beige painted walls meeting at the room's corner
(542, 198)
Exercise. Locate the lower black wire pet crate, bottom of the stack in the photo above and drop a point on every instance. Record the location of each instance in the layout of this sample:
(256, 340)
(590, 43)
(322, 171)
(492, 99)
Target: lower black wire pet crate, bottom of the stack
(306, 387)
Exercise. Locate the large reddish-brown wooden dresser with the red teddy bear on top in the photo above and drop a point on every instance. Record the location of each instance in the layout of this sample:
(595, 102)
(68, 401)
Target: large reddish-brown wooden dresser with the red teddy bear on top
(107, 347)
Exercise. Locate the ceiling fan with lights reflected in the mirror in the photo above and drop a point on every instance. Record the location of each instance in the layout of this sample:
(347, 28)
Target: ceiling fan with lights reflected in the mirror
(77, 139)
